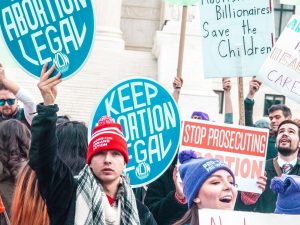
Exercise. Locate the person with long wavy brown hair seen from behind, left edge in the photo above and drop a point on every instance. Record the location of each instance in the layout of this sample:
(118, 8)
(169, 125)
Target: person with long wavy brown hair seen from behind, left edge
(14, 150)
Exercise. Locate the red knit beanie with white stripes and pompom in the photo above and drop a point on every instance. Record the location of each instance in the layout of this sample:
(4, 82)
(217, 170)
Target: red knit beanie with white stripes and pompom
(107, 135)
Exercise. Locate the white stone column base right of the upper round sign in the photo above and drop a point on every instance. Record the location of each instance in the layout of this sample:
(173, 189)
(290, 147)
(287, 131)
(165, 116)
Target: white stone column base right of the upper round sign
(108, 18)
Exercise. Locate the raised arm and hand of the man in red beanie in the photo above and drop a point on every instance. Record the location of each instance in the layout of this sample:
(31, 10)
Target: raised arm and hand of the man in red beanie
(43, 151)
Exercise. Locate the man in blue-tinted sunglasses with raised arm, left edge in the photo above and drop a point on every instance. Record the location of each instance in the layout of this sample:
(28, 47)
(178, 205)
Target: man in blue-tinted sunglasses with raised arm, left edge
(10, 94)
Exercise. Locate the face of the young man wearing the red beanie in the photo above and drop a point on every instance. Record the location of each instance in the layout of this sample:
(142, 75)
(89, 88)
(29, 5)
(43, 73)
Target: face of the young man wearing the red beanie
(108, 166)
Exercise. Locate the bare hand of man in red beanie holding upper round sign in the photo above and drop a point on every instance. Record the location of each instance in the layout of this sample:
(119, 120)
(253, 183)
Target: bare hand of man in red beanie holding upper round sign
(48, 85)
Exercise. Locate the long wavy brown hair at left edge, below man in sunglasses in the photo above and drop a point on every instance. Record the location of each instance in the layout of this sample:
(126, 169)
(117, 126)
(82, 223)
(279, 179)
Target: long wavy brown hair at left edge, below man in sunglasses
(15, 140)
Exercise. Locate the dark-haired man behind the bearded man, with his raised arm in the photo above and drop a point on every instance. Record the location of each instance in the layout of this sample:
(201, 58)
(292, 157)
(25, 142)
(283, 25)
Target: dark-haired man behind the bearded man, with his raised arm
(277, 114)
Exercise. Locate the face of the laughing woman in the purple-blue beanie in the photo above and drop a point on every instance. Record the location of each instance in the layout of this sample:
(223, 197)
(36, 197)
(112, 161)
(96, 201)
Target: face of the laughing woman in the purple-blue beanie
(217, 192)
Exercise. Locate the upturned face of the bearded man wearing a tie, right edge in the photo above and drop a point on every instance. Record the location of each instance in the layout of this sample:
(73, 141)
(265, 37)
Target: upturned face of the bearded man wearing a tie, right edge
(287, 140)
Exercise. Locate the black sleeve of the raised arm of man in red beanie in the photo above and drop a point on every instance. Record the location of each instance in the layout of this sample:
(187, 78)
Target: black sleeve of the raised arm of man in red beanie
(56, 183)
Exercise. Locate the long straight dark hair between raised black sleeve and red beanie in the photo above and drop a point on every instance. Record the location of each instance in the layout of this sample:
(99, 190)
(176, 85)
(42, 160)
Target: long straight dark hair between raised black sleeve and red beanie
(72, 144)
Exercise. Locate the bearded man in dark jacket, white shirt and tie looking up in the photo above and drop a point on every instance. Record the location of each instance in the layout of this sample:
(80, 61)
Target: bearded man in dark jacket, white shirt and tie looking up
(287, 144)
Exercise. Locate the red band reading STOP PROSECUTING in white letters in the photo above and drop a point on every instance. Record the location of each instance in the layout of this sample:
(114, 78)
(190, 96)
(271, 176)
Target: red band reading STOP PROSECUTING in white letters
(224, 138)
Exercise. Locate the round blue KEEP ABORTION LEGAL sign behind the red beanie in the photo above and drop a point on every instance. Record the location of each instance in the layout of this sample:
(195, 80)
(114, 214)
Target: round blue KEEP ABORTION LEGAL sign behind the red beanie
(151, 125)
